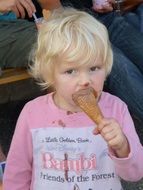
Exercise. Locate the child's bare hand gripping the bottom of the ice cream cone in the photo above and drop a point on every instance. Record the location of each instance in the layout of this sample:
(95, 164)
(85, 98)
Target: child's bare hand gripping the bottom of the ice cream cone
(112, 133)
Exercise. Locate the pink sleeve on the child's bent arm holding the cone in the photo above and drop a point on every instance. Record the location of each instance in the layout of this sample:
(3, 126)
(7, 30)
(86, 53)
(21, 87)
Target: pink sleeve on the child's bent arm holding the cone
(130, 168)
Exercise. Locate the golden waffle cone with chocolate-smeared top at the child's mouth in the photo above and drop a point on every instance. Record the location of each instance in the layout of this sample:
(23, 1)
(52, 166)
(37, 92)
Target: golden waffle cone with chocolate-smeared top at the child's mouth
(87, 100)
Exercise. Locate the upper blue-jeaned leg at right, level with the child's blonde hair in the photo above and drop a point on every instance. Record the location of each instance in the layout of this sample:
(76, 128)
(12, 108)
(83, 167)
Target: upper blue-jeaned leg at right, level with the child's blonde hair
(128, 39)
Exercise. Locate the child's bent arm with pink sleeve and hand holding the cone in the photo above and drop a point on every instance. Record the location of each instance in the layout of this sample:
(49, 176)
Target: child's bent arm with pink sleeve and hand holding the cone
(124, 146)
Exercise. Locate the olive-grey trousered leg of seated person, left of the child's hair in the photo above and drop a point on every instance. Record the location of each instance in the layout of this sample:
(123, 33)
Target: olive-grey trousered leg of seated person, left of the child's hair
(16, 41)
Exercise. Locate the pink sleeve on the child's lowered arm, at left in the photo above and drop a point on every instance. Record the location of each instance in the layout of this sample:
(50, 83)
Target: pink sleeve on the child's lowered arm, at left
(18, 171)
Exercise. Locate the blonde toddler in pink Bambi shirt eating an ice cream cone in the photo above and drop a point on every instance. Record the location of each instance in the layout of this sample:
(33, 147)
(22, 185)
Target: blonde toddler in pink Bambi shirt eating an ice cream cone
(56, 146)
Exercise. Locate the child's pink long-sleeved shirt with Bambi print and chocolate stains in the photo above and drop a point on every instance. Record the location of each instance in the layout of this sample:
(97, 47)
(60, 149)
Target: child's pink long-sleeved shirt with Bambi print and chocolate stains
(53, 149)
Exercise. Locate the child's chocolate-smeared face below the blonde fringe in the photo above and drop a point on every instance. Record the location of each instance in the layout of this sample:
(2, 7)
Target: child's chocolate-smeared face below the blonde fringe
(71, 77)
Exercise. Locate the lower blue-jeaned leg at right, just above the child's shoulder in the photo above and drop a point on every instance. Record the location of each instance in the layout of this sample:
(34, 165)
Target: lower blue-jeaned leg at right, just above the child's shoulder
(126, 81)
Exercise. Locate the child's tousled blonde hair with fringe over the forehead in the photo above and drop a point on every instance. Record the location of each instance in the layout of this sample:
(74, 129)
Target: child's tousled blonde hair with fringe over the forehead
(71, 35)
